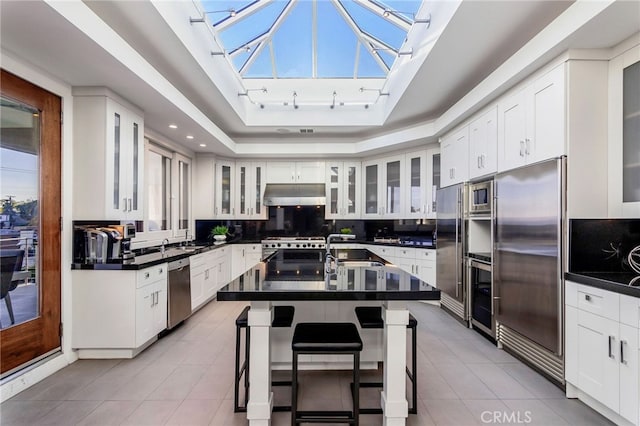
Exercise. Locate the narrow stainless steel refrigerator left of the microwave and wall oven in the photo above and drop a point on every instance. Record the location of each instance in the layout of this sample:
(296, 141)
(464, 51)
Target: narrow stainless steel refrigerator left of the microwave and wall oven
(450, 231)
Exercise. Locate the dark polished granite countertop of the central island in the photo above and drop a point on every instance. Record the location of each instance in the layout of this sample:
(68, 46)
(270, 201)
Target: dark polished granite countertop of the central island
(303, 278)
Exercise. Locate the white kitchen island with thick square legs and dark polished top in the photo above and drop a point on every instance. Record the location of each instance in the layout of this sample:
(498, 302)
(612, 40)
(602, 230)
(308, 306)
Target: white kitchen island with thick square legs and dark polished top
(300, 279)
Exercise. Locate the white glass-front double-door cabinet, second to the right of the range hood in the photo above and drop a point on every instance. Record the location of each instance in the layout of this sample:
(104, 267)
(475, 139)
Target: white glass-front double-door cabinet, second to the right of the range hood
(383, 184)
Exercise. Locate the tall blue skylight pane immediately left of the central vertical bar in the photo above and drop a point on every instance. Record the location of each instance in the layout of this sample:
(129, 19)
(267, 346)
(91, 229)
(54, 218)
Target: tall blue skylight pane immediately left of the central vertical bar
(292, 43)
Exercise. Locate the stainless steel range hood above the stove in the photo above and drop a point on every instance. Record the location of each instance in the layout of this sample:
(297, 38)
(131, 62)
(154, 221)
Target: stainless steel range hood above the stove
(295, 194)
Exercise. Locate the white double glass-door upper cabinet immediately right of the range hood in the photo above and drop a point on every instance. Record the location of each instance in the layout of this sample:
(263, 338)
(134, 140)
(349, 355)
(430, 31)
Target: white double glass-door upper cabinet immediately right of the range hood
(343, 190)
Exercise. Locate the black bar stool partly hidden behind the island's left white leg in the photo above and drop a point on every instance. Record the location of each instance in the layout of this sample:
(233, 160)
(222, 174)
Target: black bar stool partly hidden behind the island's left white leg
(282, 317)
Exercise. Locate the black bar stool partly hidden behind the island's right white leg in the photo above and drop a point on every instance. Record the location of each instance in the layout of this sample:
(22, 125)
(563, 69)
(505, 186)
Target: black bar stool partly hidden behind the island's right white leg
(371, 317)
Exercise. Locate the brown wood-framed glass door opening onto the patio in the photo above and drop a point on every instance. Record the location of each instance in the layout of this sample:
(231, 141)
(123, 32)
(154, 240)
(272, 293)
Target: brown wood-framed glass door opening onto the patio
(30, 179)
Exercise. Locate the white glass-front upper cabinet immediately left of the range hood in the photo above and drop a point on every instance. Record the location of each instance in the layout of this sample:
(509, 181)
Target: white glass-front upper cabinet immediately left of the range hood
(250, 184)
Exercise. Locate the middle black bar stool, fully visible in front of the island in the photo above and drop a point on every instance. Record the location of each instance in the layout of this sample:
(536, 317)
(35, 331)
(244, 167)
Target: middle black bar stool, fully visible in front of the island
(326, 338)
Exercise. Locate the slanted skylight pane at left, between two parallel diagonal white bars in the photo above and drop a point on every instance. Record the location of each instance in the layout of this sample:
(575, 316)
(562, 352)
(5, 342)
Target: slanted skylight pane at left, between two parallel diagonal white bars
(250, 27)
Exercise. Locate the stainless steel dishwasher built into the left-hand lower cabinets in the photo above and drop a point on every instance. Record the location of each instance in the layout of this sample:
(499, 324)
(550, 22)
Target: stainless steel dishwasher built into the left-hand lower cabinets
(179, 292)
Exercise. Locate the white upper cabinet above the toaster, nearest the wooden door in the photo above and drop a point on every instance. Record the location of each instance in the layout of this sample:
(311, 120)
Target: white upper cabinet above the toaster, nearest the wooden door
(108, 157)
